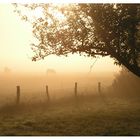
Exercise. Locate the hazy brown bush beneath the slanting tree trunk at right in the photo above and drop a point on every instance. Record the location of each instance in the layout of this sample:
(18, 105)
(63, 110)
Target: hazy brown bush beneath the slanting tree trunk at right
(126, 84)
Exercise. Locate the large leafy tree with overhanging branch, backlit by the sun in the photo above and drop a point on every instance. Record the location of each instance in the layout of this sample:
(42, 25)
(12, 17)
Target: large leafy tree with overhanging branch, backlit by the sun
(89, 29)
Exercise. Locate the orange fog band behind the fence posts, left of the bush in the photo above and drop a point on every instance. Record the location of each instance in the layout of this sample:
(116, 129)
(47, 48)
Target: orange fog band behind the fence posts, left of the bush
(60, 85)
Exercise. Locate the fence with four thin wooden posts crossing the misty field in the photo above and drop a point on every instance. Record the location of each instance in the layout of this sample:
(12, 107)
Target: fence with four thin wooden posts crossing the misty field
(49, 92)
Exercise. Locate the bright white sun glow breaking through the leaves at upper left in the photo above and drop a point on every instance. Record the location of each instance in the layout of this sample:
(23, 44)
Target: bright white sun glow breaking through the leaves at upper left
(56, 11)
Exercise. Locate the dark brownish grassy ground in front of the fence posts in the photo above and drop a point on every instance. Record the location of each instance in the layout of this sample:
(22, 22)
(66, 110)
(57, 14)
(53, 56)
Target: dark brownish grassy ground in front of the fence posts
(88, 116)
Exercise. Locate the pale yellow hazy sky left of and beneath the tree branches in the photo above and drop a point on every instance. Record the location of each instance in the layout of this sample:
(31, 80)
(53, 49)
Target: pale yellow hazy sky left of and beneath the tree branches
(15, 52)
